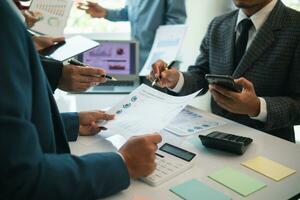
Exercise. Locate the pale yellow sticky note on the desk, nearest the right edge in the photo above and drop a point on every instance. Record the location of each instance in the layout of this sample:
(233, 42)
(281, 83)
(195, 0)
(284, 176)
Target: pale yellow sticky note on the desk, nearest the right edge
(268, 168)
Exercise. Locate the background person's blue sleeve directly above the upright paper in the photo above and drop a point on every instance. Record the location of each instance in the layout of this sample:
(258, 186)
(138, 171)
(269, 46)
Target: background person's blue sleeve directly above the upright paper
(175, 12)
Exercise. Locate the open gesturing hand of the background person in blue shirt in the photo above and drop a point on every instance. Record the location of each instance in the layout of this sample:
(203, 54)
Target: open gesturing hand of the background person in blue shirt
(93, 9)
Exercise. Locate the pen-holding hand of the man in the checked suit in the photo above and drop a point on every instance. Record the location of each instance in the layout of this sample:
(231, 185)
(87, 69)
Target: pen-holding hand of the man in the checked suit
(166, 77)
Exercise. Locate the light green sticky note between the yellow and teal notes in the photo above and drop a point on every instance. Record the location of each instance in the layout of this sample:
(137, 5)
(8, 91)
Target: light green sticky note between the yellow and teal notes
(237, 181)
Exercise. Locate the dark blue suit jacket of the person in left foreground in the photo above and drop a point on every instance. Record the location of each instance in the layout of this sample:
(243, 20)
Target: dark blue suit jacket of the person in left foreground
(35, 157)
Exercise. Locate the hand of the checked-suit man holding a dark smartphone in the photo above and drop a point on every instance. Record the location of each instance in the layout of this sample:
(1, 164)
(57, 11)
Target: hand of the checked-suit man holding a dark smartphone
(245, 102)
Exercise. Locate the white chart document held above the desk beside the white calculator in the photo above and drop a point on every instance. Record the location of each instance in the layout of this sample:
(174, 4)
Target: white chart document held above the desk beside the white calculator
(143, 111)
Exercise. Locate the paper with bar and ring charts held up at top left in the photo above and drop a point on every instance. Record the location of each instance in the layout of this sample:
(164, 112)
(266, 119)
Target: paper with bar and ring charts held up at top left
(54, 16)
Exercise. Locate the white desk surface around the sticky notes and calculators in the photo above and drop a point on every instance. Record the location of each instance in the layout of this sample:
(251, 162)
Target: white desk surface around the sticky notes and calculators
(207, 161)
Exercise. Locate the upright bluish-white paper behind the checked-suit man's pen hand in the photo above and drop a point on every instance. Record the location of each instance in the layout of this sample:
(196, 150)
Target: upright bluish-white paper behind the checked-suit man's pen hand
(167, 43)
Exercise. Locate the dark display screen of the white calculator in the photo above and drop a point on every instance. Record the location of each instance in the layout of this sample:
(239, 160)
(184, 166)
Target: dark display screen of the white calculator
(178, 152)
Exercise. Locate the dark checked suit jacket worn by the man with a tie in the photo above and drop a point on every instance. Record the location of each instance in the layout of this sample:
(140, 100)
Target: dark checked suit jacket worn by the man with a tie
(272, 64)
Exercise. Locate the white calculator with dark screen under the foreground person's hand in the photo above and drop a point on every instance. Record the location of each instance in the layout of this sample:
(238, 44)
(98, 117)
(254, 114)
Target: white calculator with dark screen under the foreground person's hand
(171, 161)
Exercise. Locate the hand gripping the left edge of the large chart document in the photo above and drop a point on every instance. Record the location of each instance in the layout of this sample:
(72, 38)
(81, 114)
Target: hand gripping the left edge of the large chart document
(88, 122)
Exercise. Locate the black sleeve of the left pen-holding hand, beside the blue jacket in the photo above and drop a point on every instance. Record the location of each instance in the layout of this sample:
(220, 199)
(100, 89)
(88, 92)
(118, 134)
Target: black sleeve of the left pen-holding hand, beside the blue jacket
(53, 70)
